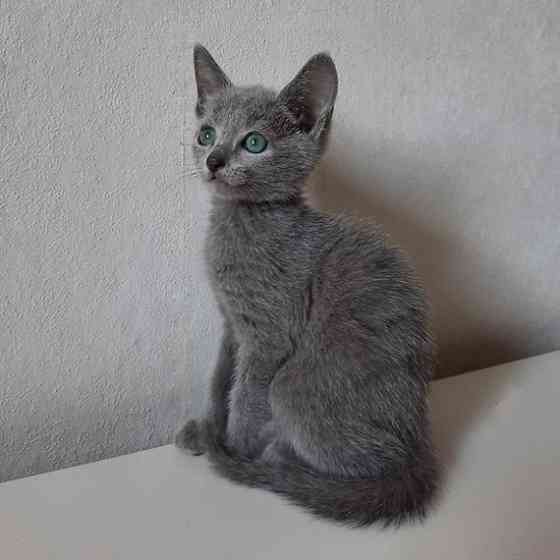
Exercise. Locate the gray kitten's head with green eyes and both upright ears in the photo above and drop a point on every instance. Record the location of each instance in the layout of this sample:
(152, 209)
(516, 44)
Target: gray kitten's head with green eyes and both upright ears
(253, 144)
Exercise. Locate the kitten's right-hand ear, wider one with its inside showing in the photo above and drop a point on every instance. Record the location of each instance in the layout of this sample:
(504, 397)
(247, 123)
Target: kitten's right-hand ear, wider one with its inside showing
(310, 96)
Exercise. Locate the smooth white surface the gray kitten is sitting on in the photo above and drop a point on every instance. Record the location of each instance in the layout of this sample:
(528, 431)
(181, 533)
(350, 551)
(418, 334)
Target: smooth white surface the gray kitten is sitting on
(497, 431)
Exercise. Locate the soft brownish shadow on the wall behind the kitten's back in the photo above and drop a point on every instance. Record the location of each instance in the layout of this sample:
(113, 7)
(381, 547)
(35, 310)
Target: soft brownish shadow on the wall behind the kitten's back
(467, 337)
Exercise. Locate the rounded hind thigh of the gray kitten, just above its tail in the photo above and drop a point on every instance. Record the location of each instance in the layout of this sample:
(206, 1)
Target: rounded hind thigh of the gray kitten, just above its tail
(325, 415)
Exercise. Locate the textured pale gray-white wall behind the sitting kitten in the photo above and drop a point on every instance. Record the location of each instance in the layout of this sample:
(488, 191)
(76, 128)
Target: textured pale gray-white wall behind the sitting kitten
(447, 130)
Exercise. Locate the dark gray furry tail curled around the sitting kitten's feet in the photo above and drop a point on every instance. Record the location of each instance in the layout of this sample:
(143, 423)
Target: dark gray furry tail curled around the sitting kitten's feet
(358, 502)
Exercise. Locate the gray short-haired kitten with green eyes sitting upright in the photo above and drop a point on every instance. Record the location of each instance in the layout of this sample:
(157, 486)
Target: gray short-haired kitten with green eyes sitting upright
(319, 393)
